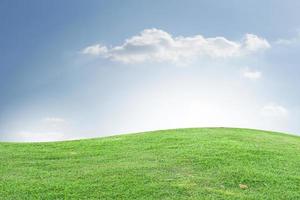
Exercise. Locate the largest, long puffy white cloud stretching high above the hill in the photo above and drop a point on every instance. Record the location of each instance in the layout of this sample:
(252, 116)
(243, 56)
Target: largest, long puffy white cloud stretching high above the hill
(159, 46)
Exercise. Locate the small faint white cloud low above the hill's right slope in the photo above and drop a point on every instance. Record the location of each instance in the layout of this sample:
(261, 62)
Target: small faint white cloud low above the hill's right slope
(274, 110)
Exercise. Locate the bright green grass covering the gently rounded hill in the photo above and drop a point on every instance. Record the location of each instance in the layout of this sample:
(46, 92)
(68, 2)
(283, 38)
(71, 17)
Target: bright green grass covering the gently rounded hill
(207, 163)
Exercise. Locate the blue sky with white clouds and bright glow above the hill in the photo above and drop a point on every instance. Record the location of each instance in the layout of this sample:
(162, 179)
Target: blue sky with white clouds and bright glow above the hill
(79, 69)
